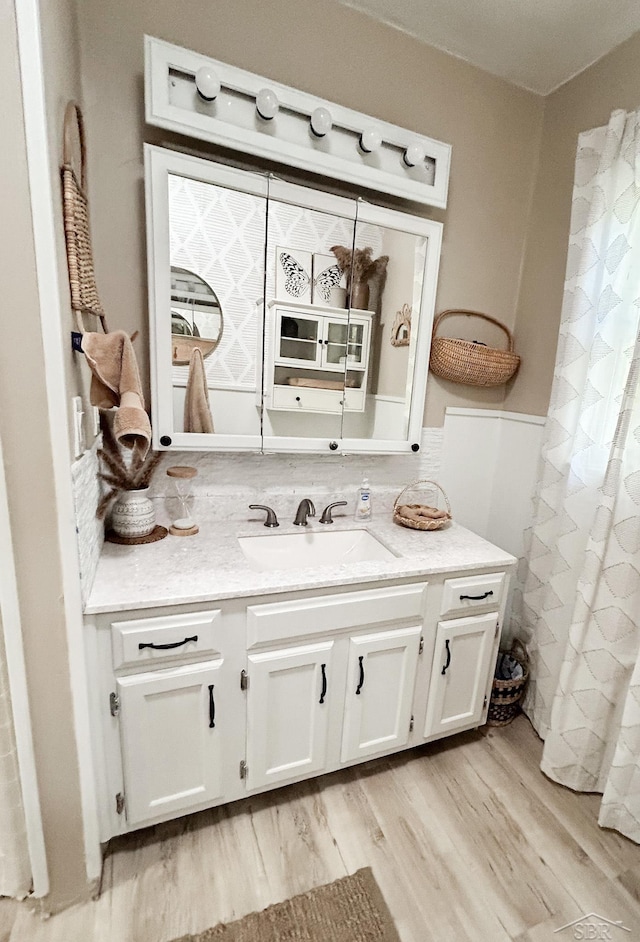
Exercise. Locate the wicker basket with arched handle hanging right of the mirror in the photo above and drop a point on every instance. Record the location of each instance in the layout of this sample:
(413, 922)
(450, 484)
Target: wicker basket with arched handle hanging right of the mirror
(471, 362)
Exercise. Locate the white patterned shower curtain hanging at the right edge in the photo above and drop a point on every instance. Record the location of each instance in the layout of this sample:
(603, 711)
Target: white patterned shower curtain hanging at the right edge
(581, 596)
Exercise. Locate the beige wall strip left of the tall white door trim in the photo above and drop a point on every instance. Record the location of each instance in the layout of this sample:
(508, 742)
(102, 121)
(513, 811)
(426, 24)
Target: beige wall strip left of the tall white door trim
(27, 446)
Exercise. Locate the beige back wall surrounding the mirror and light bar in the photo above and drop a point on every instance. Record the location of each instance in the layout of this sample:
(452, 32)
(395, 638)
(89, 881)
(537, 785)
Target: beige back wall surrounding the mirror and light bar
(341, 55)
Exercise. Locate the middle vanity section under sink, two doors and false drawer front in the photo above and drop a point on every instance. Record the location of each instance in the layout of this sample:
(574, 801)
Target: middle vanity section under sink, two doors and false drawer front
(315, 705)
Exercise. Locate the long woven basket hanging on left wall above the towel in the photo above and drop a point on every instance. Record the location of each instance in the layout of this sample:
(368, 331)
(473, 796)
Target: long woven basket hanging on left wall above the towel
(82, 279)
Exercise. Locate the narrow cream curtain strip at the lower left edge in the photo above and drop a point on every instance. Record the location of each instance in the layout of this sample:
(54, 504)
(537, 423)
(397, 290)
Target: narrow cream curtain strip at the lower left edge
(15, 868)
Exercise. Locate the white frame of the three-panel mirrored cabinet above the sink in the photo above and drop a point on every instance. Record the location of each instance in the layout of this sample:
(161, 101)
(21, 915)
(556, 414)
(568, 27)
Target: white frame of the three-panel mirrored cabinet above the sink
(159, 163)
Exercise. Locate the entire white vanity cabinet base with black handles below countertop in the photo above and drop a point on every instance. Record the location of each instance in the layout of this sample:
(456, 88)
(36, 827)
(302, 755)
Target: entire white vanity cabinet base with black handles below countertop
(199, 705)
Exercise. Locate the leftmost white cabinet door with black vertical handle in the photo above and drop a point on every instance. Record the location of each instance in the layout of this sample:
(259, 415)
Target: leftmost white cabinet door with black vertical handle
(171, 730)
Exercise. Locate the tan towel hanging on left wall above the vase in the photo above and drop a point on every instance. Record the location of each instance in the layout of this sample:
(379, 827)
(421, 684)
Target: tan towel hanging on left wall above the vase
(116, 382)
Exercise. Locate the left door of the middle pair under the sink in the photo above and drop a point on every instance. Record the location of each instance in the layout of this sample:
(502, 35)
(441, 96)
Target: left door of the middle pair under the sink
(288, 709)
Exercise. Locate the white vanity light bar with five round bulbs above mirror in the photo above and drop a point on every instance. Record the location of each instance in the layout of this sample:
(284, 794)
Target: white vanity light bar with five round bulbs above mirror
(212, 101)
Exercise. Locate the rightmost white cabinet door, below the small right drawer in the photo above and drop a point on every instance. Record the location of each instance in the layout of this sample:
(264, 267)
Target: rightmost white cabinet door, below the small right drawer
(464, 658)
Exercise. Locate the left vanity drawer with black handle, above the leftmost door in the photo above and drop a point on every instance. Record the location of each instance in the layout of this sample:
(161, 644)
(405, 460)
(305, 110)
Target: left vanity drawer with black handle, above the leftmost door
(148, 641)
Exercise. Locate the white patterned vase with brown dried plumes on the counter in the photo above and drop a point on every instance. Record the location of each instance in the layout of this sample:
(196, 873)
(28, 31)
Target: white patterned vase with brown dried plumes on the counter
(127, 476)
